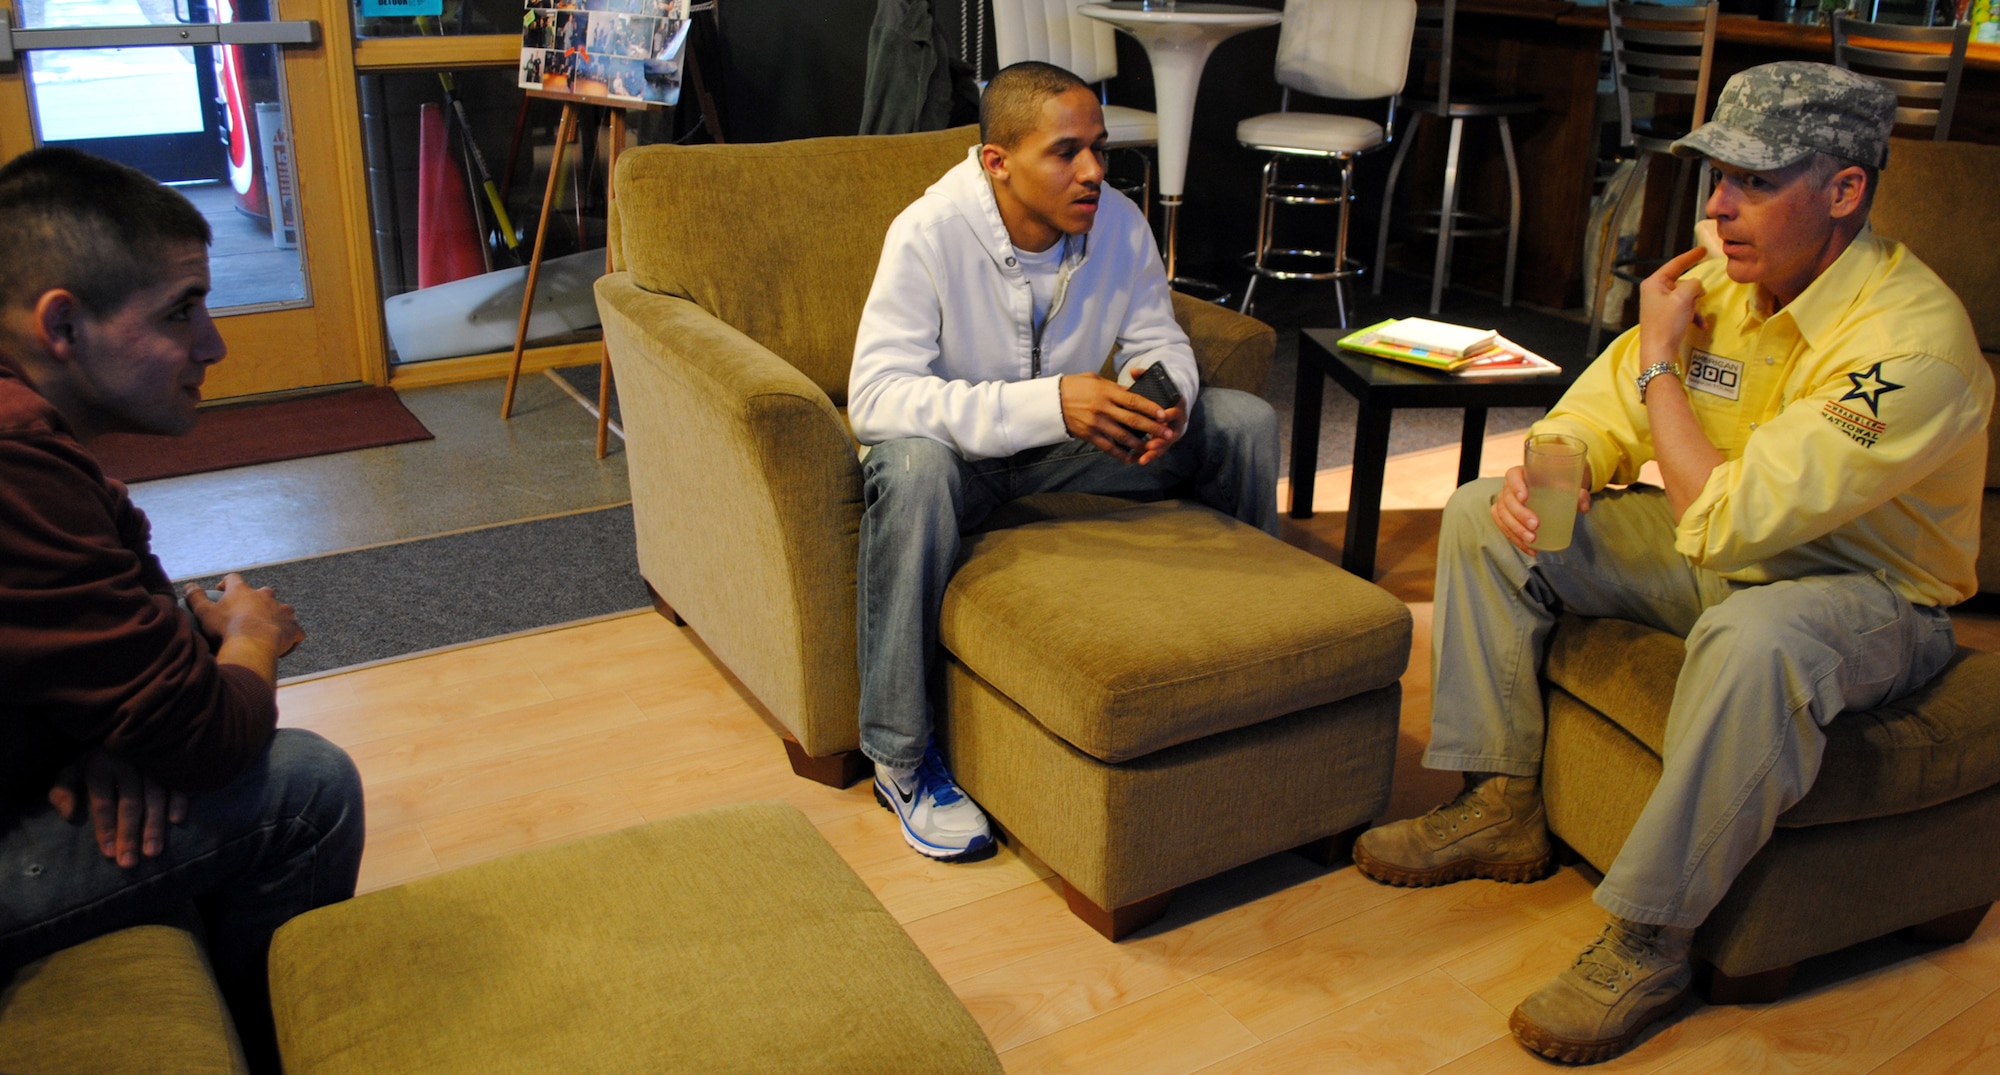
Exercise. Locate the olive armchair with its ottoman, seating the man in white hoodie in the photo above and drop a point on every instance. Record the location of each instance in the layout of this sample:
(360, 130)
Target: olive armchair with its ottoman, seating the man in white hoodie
(1251, 708)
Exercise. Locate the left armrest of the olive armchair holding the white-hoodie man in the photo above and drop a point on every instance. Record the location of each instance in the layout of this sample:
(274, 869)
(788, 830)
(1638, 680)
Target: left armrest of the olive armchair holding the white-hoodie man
(747, 505)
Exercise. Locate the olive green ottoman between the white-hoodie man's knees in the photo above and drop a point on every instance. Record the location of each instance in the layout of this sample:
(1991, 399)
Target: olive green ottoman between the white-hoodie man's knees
(1157, 694)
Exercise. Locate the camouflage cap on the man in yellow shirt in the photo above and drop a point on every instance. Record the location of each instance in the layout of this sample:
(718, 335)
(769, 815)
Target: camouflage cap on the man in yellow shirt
(1779, 115)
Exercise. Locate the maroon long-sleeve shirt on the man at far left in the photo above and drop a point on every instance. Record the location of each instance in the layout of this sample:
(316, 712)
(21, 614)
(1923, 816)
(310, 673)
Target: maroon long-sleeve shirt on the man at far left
(93, 648)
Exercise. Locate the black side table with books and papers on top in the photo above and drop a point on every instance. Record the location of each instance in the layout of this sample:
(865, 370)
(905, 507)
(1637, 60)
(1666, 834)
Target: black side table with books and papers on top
(1381, 387)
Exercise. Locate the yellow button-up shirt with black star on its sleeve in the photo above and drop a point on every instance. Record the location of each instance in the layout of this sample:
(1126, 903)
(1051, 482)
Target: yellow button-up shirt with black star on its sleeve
(1851, 423)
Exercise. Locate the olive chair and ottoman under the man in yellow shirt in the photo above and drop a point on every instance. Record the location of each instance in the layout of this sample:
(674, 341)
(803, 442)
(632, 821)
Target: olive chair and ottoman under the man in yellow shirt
(1899, 830)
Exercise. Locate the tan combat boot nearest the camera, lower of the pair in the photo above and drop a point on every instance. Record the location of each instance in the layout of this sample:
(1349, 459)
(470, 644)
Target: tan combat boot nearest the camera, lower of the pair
(1627, 980)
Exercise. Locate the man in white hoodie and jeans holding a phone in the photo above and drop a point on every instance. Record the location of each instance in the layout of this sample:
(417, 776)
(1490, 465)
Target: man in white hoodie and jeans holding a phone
(975, 383)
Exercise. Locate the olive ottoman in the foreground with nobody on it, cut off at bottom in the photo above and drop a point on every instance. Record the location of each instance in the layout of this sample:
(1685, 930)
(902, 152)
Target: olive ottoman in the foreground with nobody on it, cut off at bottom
(727, 940)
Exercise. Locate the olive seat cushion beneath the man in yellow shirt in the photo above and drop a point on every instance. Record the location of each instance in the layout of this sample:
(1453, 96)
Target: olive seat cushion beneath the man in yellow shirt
(1927, 748)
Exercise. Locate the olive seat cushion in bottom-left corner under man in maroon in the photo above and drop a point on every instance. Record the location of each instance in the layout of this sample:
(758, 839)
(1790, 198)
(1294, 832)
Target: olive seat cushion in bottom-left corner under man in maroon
(129, 1002)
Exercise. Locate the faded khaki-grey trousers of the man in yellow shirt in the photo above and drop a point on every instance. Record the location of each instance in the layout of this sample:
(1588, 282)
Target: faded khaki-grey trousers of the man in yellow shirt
(1767, 670)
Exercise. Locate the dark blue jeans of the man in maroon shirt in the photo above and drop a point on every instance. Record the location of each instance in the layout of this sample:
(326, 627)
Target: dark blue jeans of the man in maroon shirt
(281, 840)
